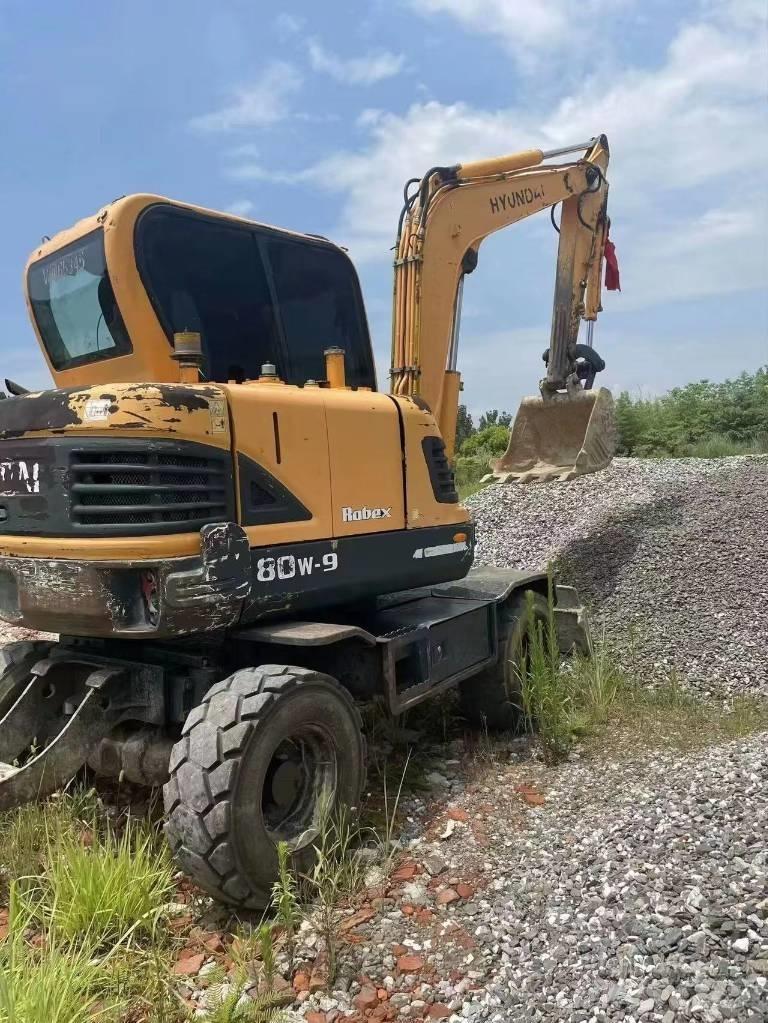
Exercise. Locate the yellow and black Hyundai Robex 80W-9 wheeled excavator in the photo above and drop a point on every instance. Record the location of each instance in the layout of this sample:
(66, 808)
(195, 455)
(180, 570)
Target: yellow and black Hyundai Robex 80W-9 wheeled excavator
(237, 537)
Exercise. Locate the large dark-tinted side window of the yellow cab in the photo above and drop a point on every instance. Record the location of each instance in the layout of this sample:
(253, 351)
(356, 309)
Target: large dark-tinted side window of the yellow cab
(255, 295)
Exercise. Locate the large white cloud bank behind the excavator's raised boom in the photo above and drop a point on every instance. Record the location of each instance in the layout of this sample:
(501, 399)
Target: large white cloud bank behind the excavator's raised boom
(689, 145)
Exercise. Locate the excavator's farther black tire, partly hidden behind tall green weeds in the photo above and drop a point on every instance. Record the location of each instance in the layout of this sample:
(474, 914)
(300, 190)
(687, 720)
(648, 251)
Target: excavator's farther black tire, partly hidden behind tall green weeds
(493, 699)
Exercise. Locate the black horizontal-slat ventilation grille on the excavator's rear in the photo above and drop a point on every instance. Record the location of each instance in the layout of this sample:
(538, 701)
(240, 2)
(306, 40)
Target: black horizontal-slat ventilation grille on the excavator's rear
(148, 492)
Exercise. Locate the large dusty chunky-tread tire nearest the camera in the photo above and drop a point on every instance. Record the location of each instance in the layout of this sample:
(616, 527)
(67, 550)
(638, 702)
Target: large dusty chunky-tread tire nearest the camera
(256, 738)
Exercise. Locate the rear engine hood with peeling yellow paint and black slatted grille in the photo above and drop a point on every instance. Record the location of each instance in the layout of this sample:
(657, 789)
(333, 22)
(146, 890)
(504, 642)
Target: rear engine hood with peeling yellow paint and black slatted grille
(66, 461)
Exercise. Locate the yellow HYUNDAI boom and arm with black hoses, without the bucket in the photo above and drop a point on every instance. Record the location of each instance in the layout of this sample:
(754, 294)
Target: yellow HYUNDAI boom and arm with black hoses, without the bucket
(444, 223)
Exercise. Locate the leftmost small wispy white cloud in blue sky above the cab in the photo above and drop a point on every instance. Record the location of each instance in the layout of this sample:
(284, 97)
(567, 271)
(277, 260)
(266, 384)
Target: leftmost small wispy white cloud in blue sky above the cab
(261, 105)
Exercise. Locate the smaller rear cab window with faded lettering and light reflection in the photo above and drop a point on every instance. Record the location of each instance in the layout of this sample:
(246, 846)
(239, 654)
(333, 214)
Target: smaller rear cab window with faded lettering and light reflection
(74, 305)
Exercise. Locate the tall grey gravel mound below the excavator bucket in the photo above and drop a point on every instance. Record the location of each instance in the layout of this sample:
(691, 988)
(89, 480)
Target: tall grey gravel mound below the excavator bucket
(670, 554)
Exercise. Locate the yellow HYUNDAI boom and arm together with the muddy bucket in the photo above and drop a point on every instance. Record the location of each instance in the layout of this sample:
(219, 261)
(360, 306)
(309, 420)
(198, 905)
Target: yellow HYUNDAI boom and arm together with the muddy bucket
(569, 430)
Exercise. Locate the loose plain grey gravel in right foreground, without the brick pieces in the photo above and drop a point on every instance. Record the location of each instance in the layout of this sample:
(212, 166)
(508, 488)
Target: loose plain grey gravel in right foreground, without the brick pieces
(638, 897)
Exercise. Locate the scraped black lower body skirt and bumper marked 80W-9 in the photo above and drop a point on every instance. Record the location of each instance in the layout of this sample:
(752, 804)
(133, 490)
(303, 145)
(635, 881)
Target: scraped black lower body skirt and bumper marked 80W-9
(228, 585)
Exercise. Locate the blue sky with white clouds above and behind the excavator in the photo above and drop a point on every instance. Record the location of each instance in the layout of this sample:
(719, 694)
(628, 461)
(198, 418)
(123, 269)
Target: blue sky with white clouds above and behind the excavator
(312, 116)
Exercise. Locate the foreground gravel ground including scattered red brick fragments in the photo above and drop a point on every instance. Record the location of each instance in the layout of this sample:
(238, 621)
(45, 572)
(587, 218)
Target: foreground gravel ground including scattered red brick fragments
(634, 889)
